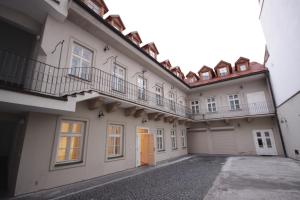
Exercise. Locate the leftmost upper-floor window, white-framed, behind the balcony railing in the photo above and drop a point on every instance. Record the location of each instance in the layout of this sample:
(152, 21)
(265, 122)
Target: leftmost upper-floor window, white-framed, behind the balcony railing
(81, 61)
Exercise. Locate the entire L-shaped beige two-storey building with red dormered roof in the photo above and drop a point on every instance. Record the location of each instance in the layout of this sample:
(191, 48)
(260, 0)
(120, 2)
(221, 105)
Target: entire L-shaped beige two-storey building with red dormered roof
(79, 99)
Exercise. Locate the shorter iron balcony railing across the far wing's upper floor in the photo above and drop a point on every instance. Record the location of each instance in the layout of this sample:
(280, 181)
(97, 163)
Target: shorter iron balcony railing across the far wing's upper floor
(229, 111)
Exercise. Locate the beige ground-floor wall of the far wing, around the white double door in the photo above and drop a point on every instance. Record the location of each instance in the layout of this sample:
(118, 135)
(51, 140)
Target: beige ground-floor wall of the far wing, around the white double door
(233, 138)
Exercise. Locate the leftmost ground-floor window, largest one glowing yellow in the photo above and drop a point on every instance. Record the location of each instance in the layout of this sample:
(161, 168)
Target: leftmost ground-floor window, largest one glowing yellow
(70, 142)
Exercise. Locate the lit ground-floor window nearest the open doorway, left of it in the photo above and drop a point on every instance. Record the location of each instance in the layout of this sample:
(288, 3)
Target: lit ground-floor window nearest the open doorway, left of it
(114, 143)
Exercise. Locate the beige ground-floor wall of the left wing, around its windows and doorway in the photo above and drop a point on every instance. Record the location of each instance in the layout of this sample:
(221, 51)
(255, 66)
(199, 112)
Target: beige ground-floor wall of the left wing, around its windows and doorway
(36, 171)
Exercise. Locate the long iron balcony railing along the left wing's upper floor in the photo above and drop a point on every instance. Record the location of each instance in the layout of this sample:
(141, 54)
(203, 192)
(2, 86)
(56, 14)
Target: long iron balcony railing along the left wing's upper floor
(21, 73)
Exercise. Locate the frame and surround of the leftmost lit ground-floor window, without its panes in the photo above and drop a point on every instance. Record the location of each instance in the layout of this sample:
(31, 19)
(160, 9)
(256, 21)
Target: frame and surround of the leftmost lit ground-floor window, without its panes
(55, 164)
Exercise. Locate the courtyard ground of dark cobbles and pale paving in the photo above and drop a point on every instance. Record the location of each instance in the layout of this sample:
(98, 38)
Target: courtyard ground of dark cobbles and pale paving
(198, 177)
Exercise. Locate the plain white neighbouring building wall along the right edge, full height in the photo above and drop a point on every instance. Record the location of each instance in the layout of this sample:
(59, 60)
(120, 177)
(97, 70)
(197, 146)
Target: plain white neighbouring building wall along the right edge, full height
(280, 22)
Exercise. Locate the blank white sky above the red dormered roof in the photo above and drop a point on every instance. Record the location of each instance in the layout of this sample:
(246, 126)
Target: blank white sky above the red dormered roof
(193, 33)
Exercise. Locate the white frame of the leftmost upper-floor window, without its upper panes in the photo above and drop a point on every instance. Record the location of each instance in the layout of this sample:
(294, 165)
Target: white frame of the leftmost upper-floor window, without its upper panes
(80, 71)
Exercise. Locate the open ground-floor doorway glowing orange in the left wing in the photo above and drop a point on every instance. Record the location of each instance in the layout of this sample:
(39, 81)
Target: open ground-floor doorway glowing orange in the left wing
(145, 154)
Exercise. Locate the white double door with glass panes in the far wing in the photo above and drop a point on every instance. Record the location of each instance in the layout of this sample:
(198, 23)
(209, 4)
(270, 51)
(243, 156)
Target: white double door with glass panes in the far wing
(264, 142)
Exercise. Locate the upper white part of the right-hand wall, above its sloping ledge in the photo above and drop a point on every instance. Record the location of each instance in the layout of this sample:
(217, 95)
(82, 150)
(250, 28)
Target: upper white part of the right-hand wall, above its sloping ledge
(281, 24)
